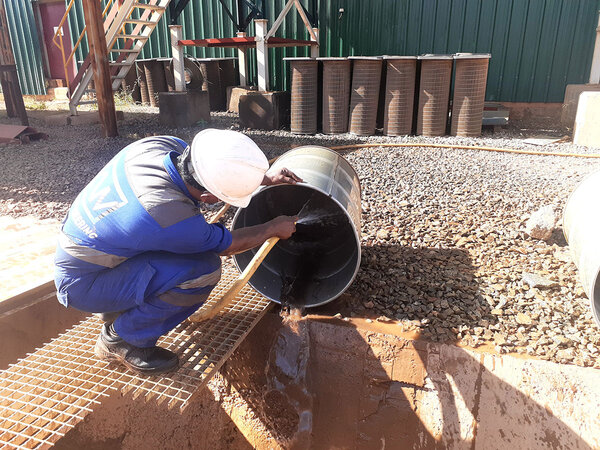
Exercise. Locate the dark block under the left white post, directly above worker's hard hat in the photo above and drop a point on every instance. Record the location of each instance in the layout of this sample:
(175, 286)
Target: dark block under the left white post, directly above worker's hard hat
(184, 109)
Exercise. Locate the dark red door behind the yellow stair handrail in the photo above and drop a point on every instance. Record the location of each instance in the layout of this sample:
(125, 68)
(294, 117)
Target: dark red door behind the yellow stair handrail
(52, 14)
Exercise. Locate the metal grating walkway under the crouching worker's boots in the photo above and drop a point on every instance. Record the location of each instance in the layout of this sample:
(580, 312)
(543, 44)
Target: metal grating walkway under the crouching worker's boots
(48, 392)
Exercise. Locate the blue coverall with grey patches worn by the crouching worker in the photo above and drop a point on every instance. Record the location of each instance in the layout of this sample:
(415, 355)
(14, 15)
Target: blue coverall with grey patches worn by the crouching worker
(134, 241)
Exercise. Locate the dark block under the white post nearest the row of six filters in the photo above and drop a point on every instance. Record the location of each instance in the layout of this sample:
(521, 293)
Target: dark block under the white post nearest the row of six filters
(265, 110)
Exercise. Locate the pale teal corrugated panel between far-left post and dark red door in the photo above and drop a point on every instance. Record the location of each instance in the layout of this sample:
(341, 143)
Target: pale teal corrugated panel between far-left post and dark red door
(26, 46)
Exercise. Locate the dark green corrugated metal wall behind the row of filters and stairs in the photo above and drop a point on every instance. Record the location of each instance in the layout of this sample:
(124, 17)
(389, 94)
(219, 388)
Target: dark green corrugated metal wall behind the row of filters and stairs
(537, 46)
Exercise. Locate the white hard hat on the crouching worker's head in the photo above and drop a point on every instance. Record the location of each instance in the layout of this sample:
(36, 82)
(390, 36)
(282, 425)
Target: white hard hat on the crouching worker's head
(228, 164)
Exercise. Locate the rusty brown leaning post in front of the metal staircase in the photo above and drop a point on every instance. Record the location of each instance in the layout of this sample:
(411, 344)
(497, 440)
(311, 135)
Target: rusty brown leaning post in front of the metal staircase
(97, 44)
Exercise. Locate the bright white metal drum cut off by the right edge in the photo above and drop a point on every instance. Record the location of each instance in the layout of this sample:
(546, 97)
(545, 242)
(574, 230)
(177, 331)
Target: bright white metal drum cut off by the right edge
(580, 226)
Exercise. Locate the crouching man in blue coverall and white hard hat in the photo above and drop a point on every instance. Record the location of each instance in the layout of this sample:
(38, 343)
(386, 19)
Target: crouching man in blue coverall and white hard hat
(134, 243)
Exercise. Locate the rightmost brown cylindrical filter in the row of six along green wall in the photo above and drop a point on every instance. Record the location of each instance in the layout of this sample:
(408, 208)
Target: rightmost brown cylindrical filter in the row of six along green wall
(470, 80)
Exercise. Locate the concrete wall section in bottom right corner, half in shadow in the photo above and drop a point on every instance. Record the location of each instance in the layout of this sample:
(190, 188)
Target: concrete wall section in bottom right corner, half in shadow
(537, 405)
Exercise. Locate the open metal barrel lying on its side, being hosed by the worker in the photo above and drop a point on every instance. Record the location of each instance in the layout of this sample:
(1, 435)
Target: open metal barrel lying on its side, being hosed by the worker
(321, 259)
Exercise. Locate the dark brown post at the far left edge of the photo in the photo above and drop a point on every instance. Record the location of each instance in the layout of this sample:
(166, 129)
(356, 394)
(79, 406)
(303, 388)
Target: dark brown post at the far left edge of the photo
(13, 98)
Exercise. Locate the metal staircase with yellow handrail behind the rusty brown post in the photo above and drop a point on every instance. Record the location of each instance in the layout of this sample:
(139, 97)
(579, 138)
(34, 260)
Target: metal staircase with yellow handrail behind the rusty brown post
(125, 38)
